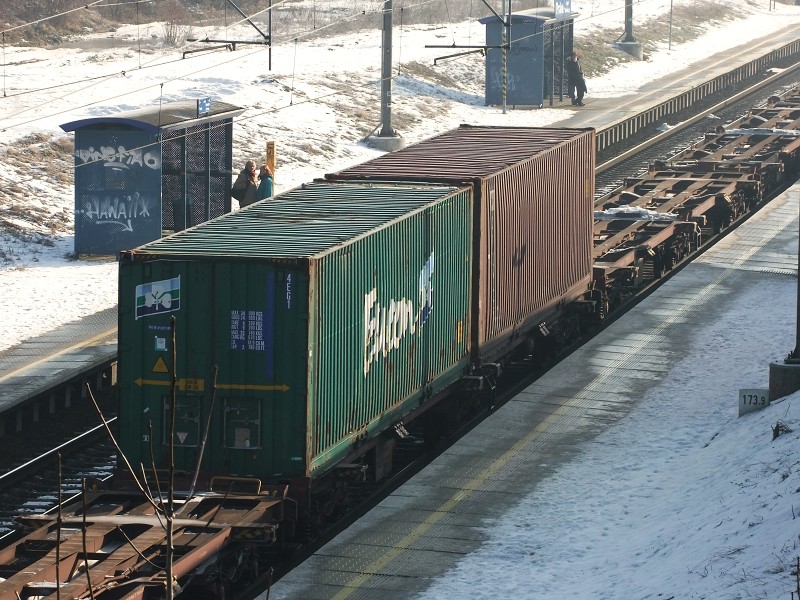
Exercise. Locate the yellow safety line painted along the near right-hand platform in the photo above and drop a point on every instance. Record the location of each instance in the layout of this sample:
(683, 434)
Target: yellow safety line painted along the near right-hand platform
(564, 411)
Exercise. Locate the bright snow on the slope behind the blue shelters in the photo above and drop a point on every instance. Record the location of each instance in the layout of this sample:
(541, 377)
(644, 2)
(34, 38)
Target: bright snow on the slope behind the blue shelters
(318, 102)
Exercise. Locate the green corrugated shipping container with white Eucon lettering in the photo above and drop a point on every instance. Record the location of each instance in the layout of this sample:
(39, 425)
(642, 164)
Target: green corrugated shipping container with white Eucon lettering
(328, 312)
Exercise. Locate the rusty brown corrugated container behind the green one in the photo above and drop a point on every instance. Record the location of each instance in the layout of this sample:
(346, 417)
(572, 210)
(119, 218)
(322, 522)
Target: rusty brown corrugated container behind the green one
(533, 193)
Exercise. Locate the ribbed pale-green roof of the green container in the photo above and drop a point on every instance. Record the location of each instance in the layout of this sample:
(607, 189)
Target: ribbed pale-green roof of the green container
(308, 221)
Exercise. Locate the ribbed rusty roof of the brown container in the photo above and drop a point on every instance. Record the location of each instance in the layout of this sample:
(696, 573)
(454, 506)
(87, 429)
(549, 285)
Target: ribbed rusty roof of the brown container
(463, 154)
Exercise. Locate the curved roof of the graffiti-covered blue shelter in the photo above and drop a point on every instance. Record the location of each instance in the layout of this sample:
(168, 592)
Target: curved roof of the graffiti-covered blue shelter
(165, 117)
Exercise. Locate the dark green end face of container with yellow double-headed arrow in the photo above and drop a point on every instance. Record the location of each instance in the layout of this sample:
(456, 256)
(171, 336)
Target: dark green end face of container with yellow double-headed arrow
(240, 320)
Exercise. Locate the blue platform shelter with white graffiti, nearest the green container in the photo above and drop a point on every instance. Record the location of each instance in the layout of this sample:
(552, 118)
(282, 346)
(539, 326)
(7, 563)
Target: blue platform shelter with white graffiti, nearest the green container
(142, 173)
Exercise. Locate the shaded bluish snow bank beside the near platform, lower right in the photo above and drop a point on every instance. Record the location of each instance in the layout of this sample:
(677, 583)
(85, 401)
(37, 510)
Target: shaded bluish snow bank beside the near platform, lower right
(680, 500)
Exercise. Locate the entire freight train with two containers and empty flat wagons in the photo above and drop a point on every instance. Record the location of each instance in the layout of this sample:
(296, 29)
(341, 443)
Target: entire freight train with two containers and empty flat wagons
(271, 356)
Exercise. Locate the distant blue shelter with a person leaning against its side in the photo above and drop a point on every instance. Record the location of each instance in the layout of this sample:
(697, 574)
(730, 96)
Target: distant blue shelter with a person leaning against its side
(540, 41)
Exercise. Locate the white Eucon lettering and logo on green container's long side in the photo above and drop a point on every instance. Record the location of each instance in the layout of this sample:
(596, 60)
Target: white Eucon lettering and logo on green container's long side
(386, 325)
